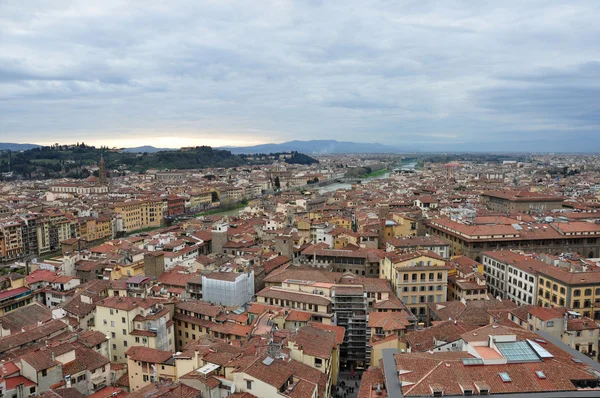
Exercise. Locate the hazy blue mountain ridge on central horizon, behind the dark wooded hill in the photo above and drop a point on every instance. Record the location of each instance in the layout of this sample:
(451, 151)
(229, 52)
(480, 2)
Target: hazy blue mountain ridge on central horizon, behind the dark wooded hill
(315, 147)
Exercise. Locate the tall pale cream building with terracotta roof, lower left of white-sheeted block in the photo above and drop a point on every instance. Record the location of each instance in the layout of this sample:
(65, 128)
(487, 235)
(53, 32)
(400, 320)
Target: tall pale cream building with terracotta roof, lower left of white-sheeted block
(134, 322)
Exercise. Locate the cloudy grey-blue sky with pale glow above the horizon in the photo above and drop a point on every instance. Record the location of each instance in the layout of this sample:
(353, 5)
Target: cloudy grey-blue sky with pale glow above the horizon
(461, 74)
